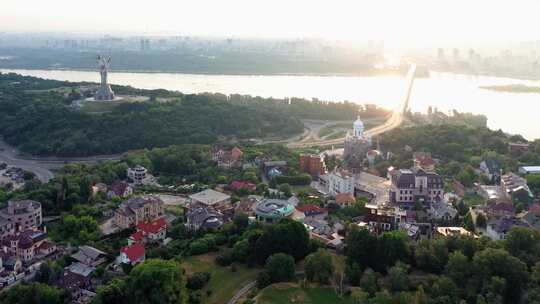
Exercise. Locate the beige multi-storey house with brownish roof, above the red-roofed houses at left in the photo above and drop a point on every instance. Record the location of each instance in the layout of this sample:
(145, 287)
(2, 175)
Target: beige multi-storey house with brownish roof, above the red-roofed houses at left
(139, 209)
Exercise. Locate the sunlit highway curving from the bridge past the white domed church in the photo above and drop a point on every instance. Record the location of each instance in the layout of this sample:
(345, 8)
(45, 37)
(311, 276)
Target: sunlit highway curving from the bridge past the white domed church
(393, 122)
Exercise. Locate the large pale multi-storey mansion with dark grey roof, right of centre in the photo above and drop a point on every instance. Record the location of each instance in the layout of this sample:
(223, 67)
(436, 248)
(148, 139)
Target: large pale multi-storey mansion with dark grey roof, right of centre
(411, 186)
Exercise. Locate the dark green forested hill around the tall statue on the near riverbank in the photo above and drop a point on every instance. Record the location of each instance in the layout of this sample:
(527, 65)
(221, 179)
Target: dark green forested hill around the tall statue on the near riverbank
(43, 122)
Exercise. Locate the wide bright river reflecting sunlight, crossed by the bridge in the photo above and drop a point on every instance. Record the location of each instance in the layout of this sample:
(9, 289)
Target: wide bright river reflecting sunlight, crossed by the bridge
(512, 112)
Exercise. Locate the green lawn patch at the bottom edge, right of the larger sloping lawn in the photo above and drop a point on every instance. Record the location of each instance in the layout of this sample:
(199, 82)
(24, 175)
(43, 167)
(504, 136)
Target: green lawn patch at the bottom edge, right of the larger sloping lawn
(286, 293)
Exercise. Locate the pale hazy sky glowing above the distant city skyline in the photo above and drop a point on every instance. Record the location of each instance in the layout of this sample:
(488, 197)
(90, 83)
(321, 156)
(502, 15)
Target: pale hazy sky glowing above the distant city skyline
(414, 20)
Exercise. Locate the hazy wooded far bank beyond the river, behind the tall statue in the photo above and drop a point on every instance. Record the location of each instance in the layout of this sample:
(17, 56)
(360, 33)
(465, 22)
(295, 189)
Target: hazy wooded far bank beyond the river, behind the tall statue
(198, 62)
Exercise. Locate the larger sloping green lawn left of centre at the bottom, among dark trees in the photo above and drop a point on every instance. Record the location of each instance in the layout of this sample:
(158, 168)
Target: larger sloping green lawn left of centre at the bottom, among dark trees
(223, 282)
